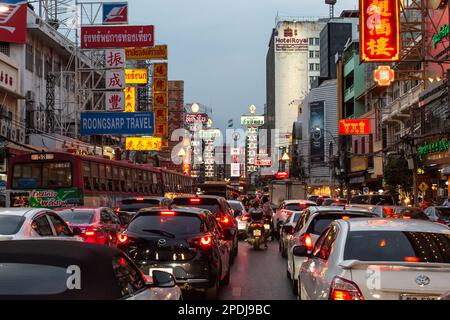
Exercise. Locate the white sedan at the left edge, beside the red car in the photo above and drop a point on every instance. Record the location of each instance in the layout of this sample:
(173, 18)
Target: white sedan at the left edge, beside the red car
(30, 223)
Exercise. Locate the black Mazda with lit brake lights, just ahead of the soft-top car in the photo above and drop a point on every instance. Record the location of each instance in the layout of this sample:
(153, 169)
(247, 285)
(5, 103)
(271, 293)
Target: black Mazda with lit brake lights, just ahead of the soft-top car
(186, 242)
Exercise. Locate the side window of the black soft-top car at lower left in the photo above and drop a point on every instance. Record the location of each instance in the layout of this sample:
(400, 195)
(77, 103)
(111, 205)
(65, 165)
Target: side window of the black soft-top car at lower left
(129, 279)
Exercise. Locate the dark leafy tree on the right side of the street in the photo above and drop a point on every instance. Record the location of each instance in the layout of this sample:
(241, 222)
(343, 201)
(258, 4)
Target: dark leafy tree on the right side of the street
(398, 175)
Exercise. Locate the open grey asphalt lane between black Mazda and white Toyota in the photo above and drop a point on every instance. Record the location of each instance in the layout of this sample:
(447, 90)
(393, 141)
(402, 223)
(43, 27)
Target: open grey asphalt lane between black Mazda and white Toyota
(258, 275)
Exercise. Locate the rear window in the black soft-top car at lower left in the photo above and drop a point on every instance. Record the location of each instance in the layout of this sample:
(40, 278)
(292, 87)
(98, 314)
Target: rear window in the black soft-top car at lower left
(18, 279)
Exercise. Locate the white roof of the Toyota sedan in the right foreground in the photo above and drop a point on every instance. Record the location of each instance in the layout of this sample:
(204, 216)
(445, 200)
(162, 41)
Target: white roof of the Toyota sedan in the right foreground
(363, 224)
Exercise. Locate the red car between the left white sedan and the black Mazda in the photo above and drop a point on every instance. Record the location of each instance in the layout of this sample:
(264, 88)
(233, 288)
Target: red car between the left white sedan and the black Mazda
(98, 225)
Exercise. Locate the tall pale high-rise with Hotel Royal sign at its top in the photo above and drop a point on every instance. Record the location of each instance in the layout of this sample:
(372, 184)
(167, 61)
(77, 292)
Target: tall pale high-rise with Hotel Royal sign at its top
(290, 72)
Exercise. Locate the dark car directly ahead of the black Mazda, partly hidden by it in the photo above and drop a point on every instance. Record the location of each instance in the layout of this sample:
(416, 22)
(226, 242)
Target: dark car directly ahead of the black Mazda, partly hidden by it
(222, 211)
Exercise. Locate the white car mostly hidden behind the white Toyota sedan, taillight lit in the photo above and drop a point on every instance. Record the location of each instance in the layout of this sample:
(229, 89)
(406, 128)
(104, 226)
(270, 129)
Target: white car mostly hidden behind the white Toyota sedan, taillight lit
(309, 228)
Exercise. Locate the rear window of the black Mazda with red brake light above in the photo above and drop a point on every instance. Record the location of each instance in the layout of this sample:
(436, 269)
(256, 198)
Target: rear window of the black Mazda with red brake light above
(178, 224)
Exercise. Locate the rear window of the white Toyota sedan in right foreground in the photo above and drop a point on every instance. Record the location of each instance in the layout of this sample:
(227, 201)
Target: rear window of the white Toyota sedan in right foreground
(397, 246)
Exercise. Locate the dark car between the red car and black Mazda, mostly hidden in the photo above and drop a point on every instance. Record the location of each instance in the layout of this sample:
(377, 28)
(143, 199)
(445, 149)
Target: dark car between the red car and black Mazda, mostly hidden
(128, 207)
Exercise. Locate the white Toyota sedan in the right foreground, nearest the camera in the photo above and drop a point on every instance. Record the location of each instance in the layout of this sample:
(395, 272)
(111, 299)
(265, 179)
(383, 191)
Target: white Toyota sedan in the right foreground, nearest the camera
(377, 259)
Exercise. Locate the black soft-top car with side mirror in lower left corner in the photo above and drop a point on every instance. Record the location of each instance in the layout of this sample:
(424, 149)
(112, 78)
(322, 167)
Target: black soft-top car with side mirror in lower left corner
(72, 270)
